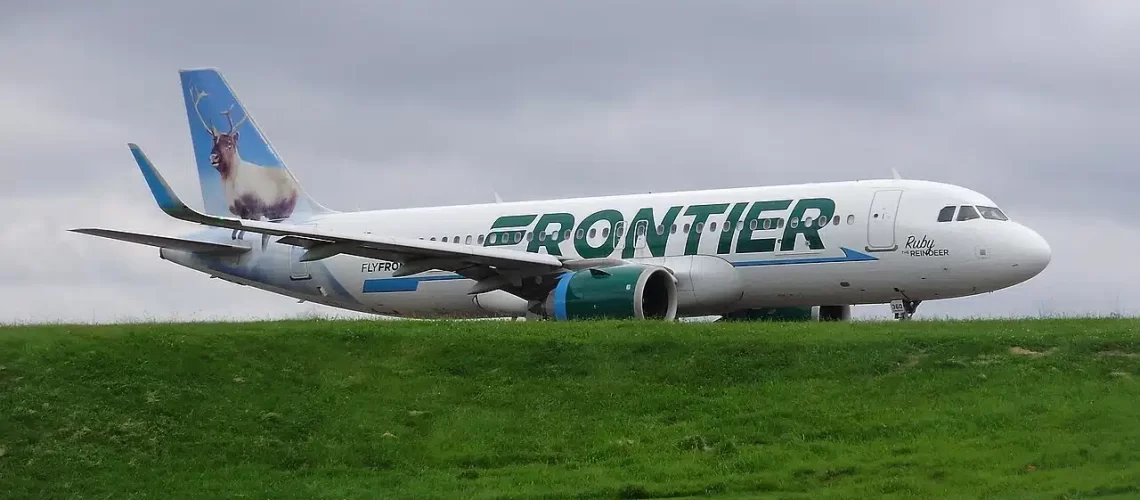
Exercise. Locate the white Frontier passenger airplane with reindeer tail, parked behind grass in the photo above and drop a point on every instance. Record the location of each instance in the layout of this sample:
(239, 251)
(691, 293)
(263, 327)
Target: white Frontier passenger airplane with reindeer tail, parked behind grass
(797, 252)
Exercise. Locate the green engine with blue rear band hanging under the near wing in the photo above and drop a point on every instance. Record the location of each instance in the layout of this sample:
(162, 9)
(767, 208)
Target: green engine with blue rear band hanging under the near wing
(618, 292)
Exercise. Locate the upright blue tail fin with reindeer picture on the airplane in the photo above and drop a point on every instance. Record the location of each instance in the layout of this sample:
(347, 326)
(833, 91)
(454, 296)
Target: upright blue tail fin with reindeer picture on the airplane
(240, 171)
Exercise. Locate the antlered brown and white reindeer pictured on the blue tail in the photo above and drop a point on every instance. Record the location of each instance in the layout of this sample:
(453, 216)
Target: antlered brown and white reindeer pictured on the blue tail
(251, 191)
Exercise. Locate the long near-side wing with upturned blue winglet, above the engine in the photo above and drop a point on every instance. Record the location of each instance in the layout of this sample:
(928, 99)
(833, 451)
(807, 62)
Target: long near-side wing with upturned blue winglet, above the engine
(492, 268)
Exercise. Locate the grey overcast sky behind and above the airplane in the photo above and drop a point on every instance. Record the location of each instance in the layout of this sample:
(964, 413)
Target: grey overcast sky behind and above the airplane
(379, 105)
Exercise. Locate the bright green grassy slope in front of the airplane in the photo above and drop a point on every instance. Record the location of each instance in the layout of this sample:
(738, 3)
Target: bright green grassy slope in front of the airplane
(361, 409)
